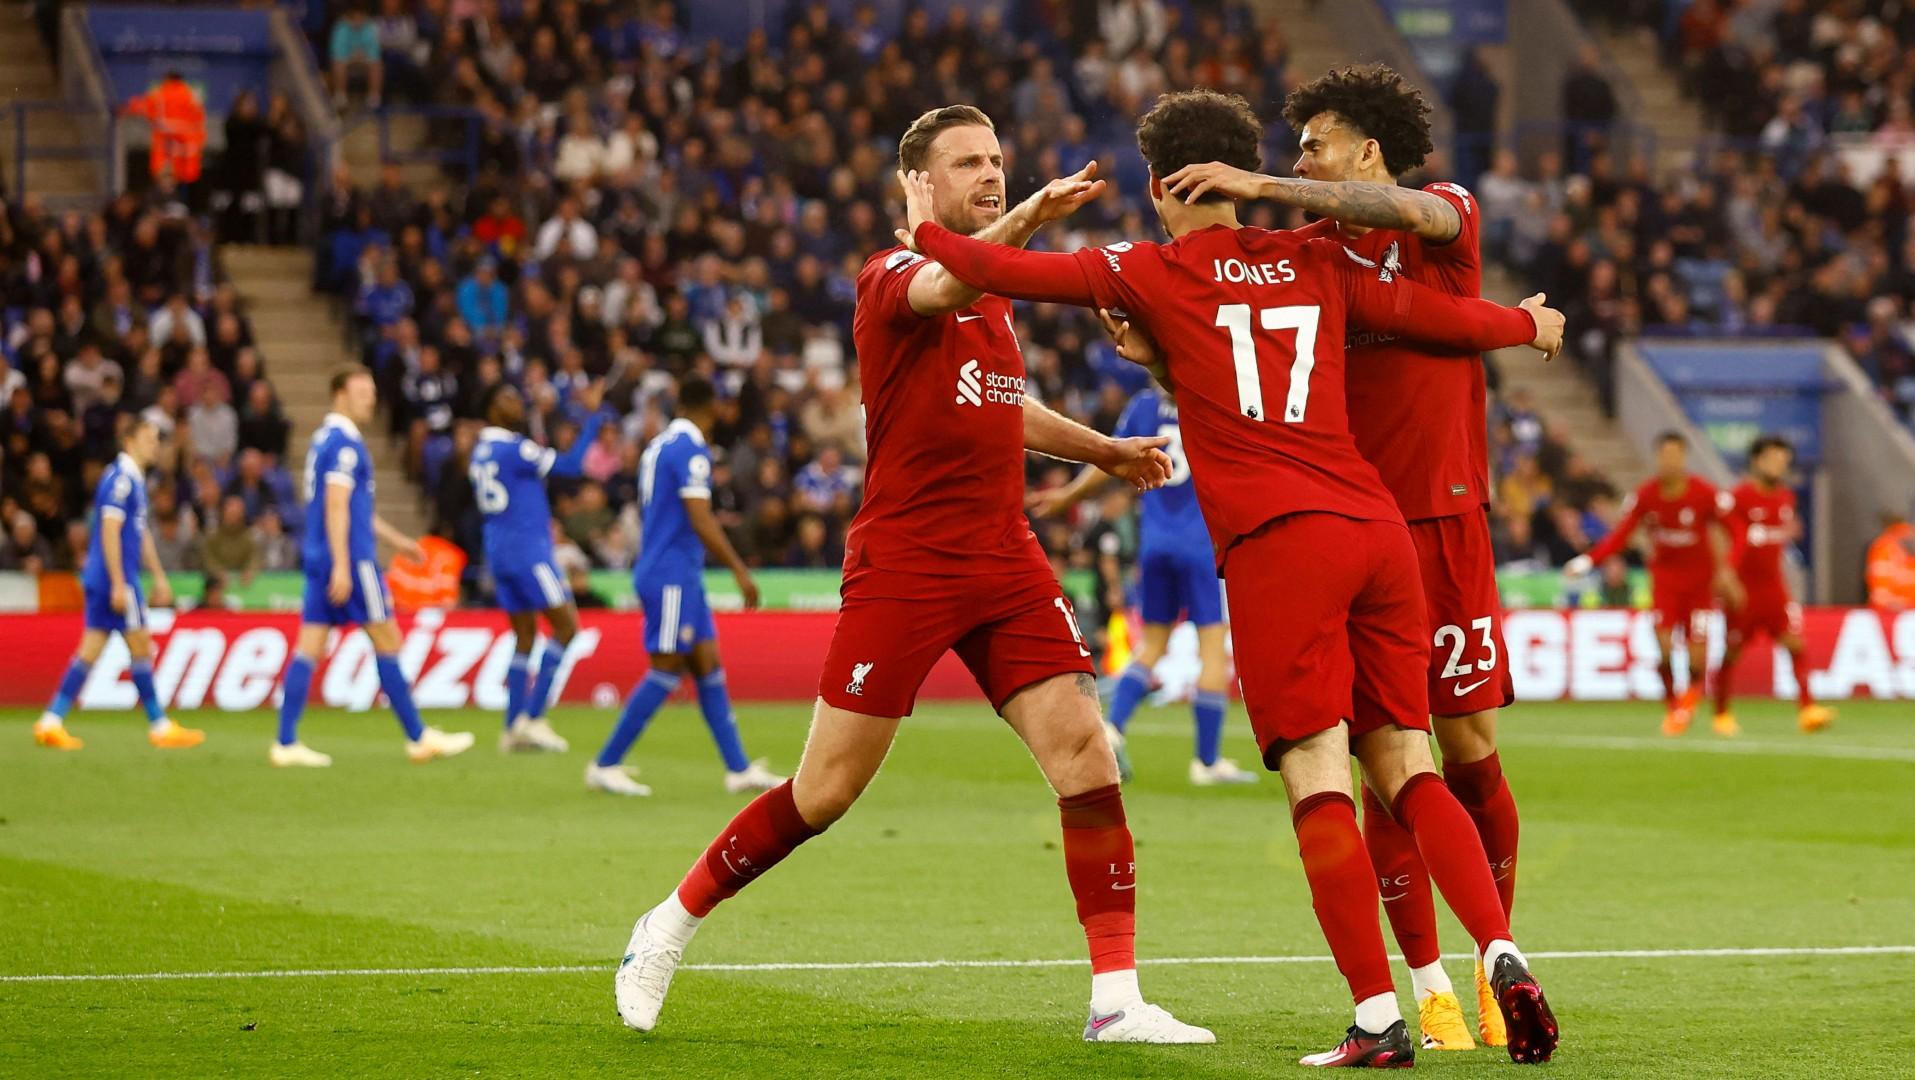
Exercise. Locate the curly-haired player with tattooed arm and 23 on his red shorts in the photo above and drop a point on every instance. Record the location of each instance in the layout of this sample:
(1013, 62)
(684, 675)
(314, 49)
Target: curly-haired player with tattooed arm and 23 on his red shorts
(1420, 416)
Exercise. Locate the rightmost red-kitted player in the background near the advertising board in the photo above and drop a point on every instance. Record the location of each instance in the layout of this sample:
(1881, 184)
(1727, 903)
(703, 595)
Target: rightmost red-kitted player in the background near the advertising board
(1763, 522)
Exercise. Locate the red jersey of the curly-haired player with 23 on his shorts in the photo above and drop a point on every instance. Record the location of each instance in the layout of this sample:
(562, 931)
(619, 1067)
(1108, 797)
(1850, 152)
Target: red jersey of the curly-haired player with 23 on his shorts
(1420, 413)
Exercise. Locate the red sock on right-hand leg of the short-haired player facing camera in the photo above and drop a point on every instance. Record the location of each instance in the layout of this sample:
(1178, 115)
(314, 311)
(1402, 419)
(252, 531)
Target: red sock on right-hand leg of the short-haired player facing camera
(1102, 865)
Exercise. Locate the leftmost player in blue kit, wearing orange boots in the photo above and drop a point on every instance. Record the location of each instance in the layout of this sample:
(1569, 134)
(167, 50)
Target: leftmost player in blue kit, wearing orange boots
(116, 549)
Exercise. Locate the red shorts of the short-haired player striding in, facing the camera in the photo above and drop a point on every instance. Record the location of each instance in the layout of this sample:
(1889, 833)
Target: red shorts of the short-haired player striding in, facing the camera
(1012, 629)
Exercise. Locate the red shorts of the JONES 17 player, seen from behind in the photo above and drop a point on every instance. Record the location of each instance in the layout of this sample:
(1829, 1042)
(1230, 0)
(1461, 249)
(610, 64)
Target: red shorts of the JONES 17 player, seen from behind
(1328, 627)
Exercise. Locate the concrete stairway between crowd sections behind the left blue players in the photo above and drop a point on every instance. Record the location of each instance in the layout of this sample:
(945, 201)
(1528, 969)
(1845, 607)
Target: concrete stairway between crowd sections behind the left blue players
(304, 342)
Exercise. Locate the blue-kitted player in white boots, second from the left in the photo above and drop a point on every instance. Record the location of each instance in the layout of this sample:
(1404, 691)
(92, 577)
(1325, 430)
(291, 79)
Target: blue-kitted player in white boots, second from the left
(344, 581)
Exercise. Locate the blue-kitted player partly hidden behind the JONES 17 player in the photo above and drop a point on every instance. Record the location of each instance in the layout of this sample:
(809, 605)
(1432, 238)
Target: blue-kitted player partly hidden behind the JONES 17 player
(1177, 579)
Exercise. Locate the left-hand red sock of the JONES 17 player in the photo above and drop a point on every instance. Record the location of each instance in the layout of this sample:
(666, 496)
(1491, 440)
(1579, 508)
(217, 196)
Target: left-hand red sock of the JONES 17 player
(1343, 889)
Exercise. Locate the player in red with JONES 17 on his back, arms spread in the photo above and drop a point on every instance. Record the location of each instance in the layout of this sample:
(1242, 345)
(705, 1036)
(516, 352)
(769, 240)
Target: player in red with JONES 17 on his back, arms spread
(1307, 537)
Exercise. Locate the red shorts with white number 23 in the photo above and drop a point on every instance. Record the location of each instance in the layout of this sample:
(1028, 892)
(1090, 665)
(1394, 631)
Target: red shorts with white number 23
(1468, 662)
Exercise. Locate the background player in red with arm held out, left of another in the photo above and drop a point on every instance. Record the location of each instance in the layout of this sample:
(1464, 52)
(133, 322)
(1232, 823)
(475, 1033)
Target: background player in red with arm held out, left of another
(1688, 568)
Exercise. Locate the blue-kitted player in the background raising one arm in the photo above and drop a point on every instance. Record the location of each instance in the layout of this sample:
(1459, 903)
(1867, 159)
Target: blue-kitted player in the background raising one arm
(508, 476)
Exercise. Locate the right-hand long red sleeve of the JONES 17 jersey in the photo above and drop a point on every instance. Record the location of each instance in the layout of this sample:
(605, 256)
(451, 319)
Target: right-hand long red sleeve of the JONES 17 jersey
(1397, 305)
